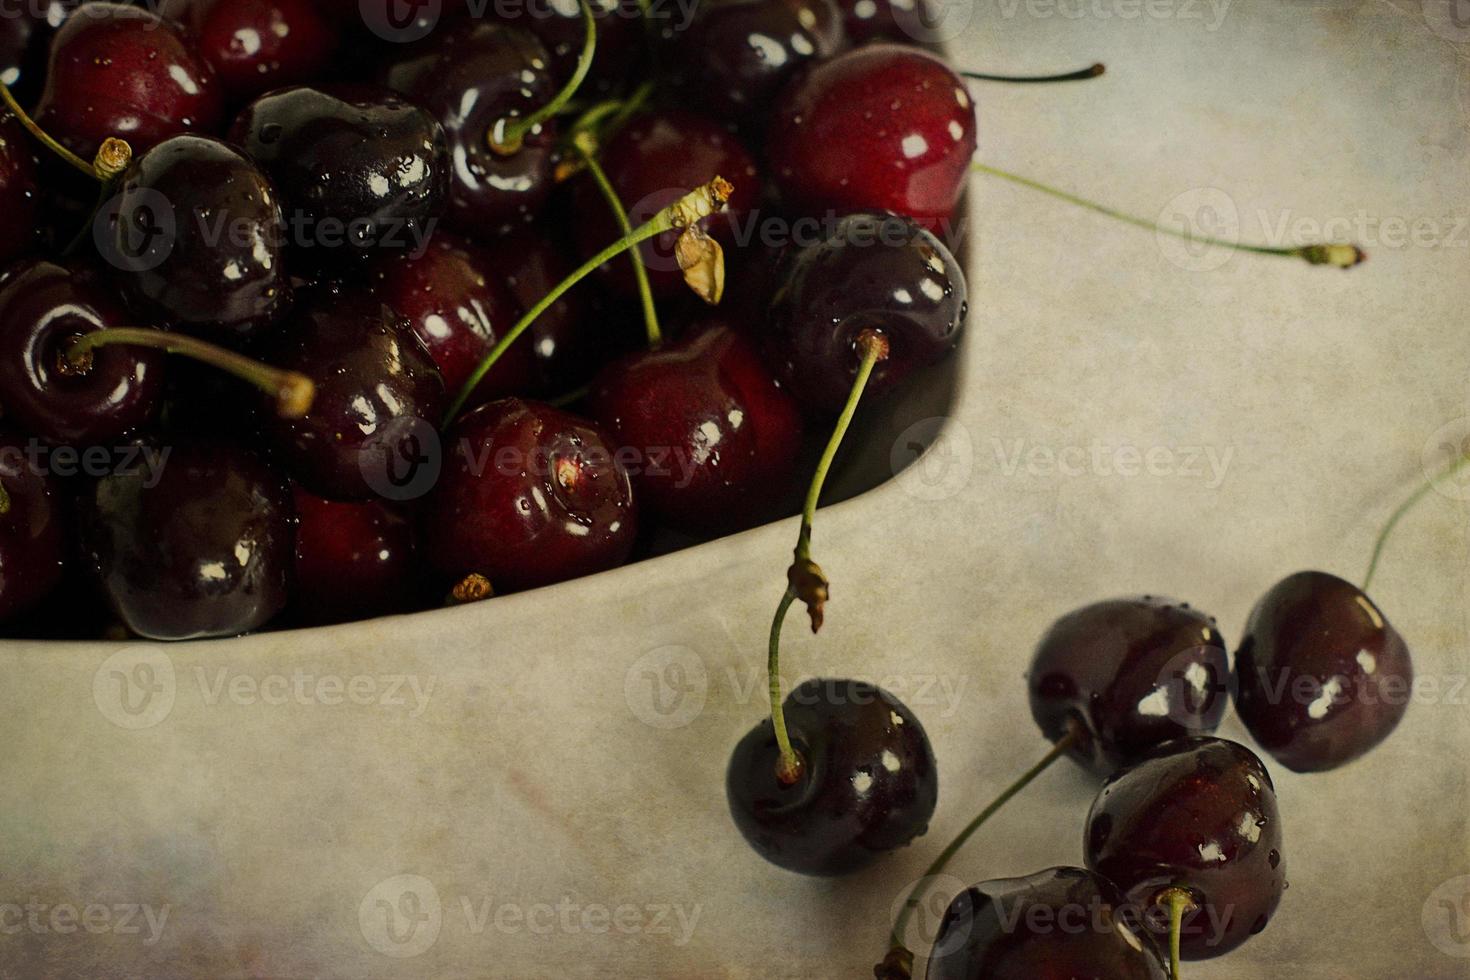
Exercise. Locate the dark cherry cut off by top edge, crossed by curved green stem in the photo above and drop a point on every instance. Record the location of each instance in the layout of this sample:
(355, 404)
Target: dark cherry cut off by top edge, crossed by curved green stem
(558, 24)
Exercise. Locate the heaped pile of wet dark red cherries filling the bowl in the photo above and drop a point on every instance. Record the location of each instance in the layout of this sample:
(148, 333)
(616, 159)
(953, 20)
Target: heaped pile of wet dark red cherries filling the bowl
(268, 265)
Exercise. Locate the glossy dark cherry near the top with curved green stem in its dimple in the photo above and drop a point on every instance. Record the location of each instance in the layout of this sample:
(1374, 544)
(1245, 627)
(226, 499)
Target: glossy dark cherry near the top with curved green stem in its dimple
(474, 79)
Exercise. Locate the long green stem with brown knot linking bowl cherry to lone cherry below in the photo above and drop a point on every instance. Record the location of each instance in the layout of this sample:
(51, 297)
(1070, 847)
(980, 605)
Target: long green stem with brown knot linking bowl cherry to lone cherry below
(805, 580)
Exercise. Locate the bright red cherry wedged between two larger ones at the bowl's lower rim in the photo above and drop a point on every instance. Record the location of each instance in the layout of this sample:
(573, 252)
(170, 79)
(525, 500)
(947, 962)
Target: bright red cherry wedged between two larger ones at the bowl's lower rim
(352, 561)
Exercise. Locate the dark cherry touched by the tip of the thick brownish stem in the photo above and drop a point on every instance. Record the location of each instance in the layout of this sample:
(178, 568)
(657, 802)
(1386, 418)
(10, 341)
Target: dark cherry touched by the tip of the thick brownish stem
(379, 399)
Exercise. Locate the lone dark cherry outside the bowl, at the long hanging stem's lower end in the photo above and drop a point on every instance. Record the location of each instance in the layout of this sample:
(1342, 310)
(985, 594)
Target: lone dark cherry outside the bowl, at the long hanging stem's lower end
(867, 784)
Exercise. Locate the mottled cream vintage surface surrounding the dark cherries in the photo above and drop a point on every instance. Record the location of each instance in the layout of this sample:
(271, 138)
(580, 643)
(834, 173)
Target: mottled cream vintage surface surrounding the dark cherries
(553, 785)
